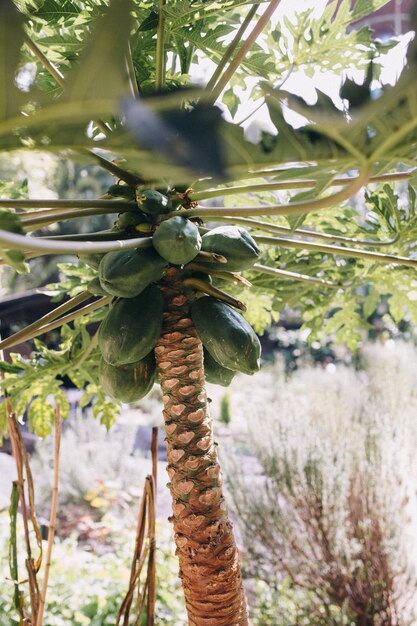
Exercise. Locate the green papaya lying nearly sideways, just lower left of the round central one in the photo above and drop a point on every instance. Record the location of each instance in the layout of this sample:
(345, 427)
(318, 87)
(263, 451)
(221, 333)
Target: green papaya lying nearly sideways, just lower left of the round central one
(125, 273)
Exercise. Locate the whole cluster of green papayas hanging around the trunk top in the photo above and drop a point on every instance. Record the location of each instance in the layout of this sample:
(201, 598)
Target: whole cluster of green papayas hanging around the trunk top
(132, 327)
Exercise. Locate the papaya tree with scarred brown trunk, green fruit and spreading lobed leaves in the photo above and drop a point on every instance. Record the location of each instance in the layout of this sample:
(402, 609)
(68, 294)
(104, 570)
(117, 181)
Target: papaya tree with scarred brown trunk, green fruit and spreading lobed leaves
(179, 285)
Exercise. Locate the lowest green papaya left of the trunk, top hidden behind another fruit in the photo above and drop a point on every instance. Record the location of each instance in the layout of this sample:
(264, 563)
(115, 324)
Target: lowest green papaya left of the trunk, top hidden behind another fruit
(128, 383)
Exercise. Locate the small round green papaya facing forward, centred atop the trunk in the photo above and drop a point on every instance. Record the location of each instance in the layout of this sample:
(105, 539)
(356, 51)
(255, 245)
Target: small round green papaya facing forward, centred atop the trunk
(177, 240)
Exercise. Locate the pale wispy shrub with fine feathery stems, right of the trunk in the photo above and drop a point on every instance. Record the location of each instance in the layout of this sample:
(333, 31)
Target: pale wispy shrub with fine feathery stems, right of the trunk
(333, 507)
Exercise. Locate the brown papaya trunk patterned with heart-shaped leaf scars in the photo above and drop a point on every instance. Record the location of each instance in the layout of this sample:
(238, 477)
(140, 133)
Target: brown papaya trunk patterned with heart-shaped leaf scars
(209, 559)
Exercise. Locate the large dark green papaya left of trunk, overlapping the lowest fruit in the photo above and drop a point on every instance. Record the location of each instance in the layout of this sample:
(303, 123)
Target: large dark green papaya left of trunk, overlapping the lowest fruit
(132, 327)
